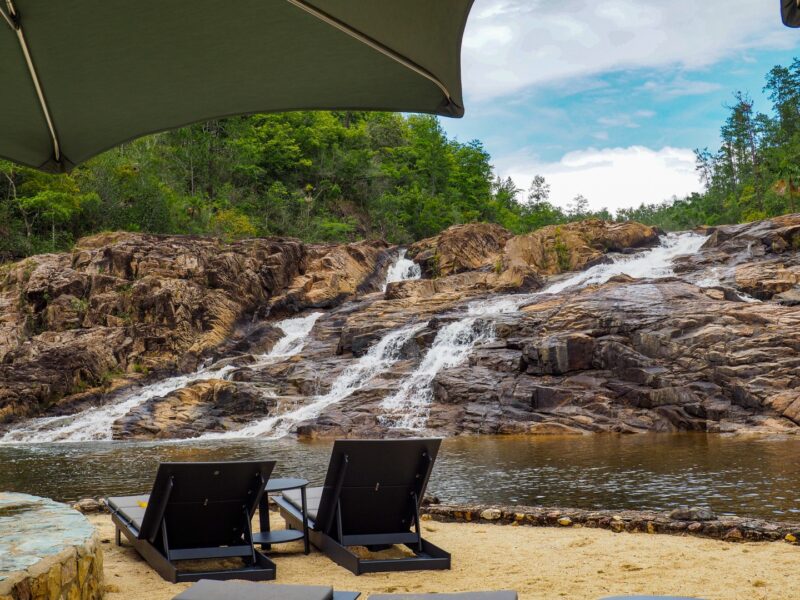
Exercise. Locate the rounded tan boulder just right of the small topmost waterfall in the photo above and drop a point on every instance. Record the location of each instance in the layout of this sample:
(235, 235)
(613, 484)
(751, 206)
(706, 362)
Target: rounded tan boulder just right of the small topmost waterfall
(461, 248)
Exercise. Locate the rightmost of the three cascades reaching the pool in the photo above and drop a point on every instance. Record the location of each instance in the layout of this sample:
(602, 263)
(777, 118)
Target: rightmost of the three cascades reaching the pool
(408, 408)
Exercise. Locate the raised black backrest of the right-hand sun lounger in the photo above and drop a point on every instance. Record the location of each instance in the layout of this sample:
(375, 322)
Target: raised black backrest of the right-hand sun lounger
(377, 483)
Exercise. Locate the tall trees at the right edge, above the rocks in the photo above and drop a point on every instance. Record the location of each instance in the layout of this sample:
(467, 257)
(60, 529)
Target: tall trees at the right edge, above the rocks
(754, 174)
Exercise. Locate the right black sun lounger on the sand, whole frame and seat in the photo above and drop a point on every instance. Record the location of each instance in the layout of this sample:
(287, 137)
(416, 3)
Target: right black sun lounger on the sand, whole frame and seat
(371, 497)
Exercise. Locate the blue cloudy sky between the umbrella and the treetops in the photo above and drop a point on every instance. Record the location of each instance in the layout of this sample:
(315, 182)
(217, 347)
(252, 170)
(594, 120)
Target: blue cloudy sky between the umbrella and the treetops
(609, 98)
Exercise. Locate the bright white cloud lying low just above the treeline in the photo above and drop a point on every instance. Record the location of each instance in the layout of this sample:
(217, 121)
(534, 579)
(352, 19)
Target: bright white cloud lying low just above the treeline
(612, 178)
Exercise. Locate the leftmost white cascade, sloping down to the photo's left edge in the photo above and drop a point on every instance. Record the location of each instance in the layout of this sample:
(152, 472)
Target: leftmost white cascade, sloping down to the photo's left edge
(95, 423)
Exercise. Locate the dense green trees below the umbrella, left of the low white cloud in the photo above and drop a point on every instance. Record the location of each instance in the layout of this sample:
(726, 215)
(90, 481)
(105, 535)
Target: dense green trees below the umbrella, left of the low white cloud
(320, 176)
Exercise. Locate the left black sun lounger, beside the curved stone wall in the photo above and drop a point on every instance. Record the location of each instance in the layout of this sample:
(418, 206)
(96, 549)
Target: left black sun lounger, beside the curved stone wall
(197, 511)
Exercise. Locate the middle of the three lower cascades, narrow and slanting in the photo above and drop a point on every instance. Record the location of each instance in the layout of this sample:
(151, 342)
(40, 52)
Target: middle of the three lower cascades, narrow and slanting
(377, 360)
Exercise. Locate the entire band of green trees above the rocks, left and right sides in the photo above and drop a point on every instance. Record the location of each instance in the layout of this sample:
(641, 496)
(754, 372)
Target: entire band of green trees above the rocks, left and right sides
(339, 176)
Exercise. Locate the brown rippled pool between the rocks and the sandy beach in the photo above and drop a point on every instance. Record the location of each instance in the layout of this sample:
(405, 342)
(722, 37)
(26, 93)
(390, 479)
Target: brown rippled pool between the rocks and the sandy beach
(755, 476)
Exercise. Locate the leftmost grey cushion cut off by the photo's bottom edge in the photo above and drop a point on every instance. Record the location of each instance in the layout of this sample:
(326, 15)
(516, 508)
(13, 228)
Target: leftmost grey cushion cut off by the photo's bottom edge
(207, 589)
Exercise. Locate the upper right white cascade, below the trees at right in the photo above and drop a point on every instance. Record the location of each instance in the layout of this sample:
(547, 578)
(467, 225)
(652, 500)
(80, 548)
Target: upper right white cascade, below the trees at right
(653, 263)
